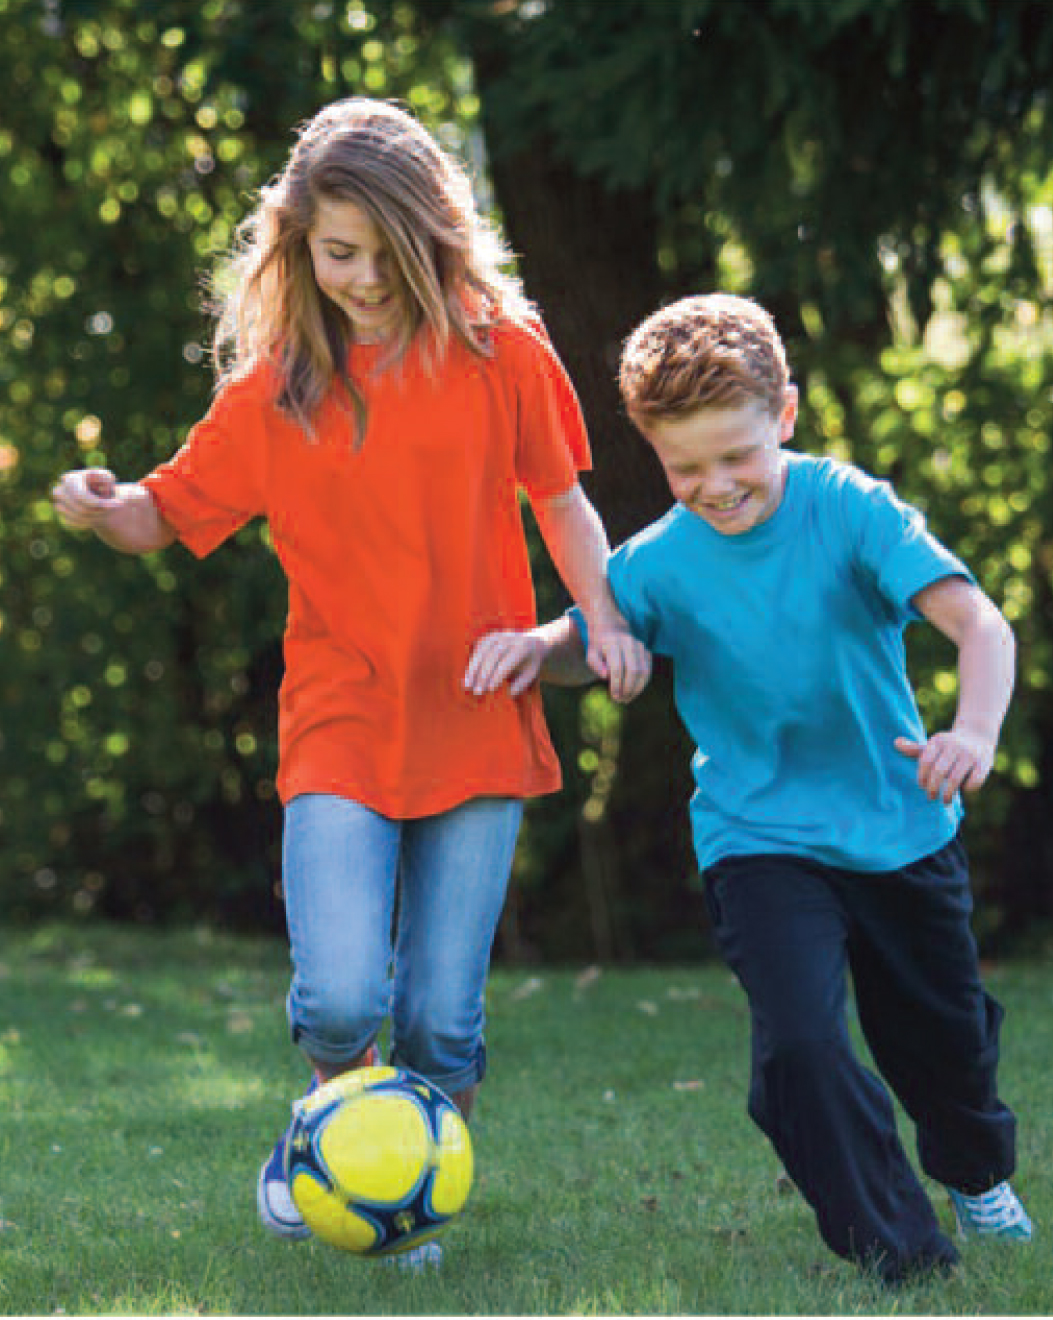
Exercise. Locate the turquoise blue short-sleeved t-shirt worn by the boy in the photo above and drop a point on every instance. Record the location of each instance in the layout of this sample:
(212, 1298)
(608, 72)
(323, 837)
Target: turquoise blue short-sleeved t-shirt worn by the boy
(791, 675)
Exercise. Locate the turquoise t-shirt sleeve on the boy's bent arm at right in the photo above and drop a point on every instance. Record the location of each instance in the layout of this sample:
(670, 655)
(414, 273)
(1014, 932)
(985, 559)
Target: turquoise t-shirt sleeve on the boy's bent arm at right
(893, 544)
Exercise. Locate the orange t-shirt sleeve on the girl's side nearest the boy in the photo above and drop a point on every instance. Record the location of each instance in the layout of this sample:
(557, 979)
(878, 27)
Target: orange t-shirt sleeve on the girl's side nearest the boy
(552, 443)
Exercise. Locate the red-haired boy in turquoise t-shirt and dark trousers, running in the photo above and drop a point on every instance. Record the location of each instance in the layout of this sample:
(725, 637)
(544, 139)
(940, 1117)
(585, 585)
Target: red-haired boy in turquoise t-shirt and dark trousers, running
(825, 819)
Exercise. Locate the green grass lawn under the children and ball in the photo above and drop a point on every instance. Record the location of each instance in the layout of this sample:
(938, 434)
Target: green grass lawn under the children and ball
(143, 1078)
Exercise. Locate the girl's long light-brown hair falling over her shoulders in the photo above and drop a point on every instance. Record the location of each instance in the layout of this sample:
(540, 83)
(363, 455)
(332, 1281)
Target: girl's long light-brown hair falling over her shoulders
(267, 302)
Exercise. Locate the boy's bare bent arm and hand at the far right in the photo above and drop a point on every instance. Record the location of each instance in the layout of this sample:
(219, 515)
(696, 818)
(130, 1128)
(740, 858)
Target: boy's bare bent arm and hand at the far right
(964, 756)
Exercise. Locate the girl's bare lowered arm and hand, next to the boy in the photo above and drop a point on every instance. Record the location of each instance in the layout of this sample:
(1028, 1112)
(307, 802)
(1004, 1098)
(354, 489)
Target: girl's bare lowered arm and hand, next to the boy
(577, 543)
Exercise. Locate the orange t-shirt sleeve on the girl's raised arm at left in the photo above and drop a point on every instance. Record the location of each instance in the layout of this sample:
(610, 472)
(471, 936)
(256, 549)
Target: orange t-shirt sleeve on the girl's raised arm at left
(217, 481)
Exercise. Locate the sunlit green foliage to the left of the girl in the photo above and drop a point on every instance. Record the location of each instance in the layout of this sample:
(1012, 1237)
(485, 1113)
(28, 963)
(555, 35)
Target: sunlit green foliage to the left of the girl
(139, 728)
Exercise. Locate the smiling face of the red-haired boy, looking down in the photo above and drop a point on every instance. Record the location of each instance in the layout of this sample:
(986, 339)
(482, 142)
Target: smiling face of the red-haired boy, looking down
(726, 465)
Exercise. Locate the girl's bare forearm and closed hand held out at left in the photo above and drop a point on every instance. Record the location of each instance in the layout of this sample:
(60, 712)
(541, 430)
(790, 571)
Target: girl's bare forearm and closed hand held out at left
(123, 515)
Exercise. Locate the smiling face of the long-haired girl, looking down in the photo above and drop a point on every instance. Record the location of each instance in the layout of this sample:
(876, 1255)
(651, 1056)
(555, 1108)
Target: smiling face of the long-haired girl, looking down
(357, 270)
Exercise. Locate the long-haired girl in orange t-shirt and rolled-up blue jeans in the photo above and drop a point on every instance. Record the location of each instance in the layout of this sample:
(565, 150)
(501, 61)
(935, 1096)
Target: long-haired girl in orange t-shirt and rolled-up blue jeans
(385, 390)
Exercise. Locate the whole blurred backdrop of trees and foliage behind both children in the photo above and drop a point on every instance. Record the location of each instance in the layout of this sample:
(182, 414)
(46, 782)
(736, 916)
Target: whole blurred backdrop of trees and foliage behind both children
(877, 172)
